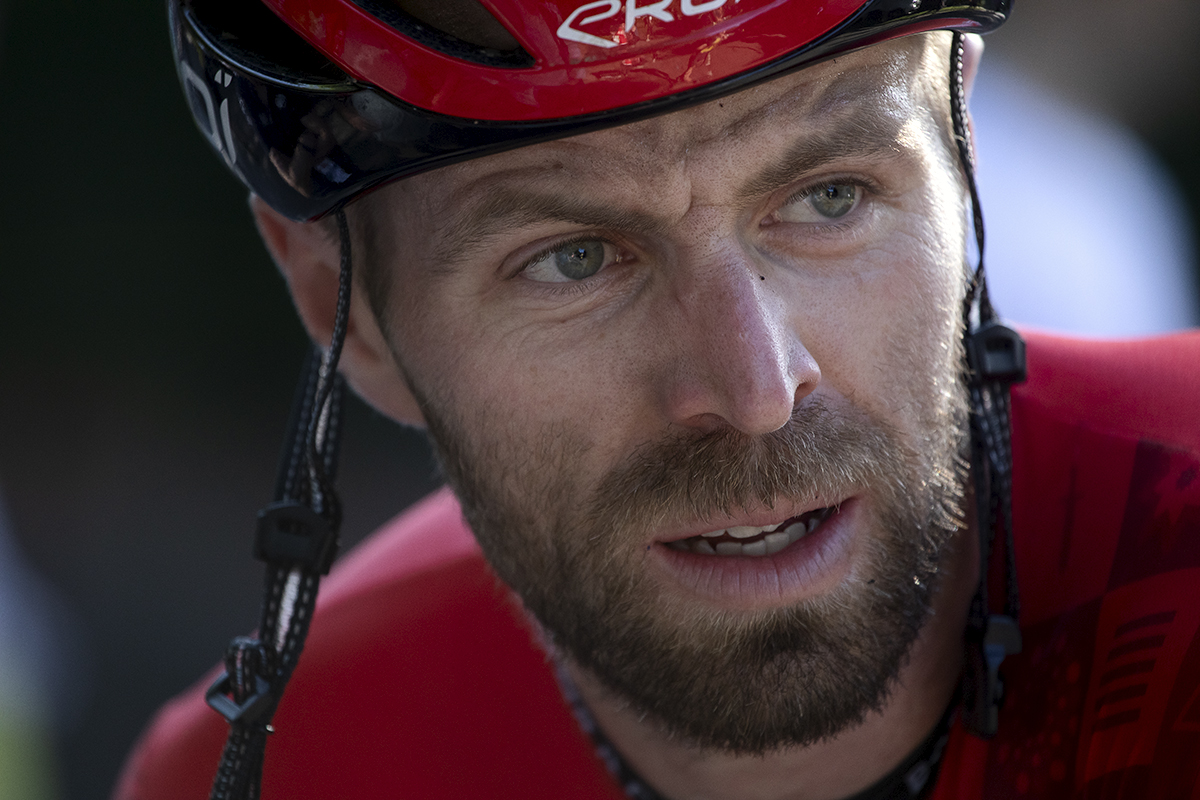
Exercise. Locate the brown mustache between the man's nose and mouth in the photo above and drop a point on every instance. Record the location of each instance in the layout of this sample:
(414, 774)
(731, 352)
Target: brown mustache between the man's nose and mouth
(820, 454)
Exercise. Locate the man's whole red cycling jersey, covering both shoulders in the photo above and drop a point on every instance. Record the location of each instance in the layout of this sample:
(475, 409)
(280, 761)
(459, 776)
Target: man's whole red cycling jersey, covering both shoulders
(421, 681)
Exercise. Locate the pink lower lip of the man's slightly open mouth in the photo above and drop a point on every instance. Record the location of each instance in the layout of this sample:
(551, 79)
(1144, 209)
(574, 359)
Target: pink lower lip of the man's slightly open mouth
(808, 568)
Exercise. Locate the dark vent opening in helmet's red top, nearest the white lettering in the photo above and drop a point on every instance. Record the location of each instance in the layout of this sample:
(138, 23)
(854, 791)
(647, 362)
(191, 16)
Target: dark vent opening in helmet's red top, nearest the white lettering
(464, 29)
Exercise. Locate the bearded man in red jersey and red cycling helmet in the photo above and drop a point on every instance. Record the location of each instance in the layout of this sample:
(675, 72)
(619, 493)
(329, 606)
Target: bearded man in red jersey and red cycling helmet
(695, 372)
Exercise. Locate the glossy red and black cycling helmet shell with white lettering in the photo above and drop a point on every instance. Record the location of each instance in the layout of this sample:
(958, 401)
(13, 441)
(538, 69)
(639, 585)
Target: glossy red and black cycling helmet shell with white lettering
(314, 103)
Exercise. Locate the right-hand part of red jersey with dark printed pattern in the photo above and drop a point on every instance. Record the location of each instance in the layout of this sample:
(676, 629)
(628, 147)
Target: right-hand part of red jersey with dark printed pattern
(1105, 702)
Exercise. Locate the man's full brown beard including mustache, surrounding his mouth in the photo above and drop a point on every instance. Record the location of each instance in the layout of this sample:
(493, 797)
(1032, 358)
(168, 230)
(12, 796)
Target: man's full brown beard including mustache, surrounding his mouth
(734, 681)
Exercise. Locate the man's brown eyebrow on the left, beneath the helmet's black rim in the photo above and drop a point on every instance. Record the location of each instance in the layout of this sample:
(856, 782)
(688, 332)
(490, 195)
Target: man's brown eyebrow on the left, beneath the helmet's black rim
(512, 208)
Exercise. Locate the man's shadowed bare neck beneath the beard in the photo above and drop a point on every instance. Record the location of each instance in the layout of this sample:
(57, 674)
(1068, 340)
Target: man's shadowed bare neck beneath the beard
(829, 771)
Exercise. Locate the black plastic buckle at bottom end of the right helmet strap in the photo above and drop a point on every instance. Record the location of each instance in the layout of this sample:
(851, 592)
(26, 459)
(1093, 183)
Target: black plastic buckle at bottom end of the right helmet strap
(985, 687)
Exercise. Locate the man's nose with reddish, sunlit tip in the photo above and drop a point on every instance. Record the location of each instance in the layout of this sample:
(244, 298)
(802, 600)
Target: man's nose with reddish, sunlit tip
(737, 359)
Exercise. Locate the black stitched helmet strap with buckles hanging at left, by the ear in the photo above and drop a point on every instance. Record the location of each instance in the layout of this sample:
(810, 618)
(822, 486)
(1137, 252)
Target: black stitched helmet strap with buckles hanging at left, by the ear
(297, 537)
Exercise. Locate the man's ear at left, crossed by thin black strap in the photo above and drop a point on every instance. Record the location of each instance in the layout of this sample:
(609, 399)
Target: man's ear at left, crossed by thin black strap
(310, 260)
